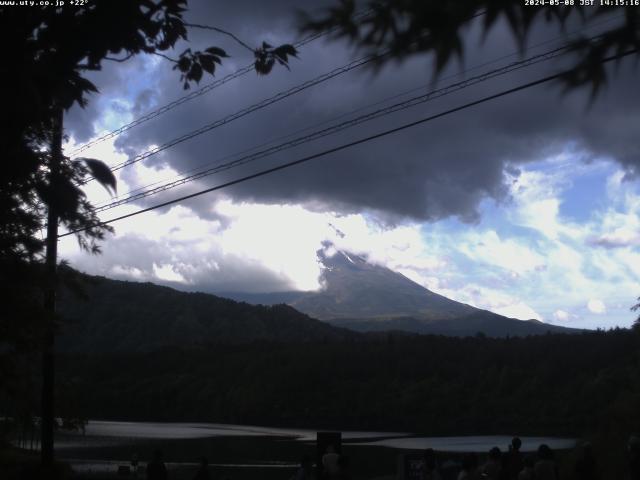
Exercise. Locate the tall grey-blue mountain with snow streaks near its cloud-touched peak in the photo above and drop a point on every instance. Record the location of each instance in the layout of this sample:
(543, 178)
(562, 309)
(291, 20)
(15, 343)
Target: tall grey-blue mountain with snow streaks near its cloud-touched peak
(364, 297)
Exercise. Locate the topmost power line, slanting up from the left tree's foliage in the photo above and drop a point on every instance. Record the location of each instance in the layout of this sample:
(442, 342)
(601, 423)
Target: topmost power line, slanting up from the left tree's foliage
(197, 93)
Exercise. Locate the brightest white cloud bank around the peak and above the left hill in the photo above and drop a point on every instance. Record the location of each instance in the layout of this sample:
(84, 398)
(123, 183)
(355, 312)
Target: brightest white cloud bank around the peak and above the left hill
(249, 247)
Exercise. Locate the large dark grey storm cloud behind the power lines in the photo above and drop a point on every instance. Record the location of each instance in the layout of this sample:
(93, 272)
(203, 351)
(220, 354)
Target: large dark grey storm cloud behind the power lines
(436, 170)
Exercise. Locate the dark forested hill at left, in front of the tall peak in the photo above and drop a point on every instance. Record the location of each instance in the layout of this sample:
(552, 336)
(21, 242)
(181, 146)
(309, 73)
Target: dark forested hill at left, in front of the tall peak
(123, 316)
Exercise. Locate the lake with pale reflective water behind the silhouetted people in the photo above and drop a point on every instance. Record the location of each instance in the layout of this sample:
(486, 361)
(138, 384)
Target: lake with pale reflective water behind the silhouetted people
(243, 451)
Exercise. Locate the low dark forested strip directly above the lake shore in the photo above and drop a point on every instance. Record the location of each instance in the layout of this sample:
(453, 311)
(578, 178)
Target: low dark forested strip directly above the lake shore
(551, 385)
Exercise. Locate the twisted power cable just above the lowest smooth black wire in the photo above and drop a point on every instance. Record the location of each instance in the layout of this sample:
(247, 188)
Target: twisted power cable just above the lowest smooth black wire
(411, 102)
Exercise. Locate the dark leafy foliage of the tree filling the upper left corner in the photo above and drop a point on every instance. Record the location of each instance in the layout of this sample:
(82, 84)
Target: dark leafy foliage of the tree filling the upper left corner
(46, 52)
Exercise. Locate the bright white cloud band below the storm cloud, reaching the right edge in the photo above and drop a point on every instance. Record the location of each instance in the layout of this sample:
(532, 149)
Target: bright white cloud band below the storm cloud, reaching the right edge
(517, 273)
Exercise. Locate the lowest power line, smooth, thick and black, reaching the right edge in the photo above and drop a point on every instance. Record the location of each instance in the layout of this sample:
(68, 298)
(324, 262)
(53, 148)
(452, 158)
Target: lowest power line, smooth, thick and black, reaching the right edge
(350, 144)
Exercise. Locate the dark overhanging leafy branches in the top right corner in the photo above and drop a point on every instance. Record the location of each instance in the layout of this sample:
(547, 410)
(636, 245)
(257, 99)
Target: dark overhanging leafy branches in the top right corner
(404, 28)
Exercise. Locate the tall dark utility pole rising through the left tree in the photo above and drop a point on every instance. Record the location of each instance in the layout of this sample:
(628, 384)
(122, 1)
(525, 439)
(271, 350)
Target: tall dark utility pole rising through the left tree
(51, 260)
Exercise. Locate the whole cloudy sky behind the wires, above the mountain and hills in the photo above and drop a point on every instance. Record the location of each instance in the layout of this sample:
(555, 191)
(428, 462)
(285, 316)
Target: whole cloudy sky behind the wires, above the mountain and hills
(528, 205)
